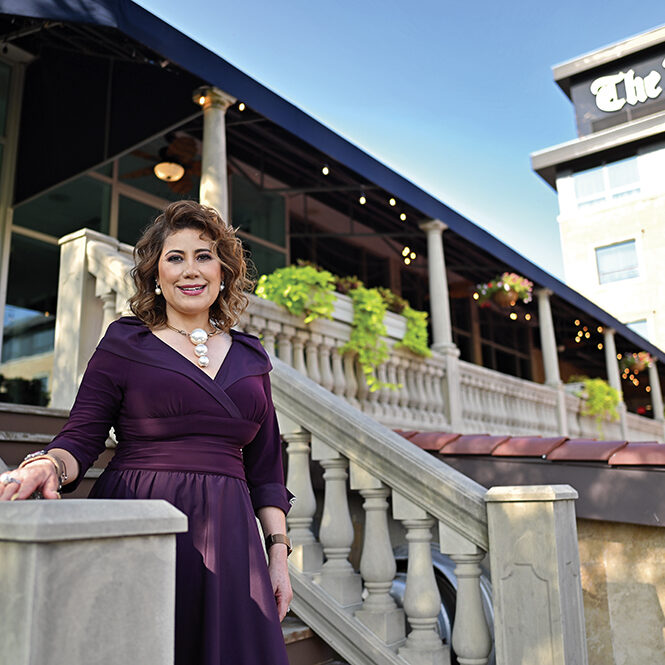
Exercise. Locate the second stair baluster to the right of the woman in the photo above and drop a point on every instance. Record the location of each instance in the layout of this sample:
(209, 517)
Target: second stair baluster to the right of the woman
(337, 576)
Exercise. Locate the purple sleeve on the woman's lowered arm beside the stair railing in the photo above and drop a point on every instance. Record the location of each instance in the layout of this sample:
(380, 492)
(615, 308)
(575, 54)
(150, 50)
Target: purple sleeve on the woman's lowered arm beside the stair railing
(262, 458)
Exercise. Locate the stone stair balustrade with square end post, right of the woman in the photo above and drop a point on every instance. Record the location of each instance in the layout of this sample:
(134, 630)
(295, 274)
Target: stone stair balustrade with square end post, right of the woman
(319, 426)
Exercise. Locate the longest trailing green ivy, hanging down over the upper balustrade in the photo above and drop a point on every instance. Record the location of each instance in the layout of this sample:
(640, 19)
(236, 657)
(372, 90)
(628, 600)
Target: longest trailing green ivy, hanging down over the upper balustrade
(367, 332)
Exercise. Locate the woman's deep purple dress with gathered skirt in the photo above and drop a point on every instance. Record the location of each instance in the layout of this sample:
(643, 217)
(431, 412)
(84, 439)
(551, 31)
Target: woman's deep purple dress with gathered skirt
(211, 448)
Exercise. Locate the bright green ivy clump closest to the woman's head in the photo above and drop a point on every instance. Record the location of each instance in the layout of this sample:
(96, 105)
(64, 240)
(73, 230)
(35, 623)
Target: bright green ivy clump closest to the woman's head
(302, 290)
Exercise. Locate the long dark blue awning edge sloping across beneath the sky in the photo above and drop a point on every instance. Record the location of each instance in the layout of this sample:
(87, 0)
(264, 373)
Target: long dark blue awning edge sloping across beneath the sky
(149, 30)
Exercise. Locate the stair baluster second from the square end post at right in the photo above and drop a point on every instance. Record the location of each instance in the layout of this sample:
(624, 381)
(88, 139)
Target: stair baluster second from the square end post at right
(422, 602)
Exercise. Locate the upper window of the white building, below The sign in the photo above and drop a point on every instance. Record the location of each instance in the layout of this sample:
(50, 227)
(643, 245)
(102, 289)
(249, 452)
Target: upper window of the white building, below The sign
(606, 183)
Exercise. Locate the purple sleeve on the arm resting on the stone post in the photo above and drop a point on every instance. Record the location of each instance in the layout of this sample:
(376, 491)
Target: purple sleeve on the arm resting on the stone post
(93, 414)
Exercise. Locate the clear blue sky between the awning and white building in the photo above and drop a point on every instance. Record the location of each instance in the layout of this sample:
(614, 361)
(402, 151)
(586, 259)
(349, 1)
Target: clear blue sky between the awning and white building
(452, 95)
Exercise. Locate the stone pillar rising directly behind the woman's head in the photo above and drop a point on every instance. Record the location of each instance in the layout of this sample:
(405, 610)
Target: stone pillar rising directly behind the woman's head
(214, 188)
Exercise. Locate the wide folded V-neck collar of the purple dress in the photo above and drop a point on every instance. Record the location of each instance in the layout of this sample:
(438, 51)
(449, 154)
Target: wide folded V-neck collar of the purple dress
(130, 338)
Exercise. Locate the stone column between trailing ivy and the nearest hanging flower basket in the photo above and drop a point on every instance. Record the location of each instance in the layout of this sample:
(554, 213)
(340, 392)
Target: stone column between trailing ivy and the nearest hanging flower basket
(442, 334)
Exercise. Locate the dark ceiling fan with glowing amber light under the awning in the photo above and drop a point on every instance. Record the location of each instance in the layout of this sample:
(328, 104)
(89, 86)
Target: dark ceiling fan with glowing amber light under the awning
(177, 163)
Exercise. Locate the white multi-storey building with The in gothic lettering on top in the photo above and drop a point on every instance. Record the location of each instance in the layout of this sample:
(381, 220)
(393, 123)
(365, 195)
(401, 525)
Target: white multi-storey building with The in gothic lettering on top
(610, 182)
